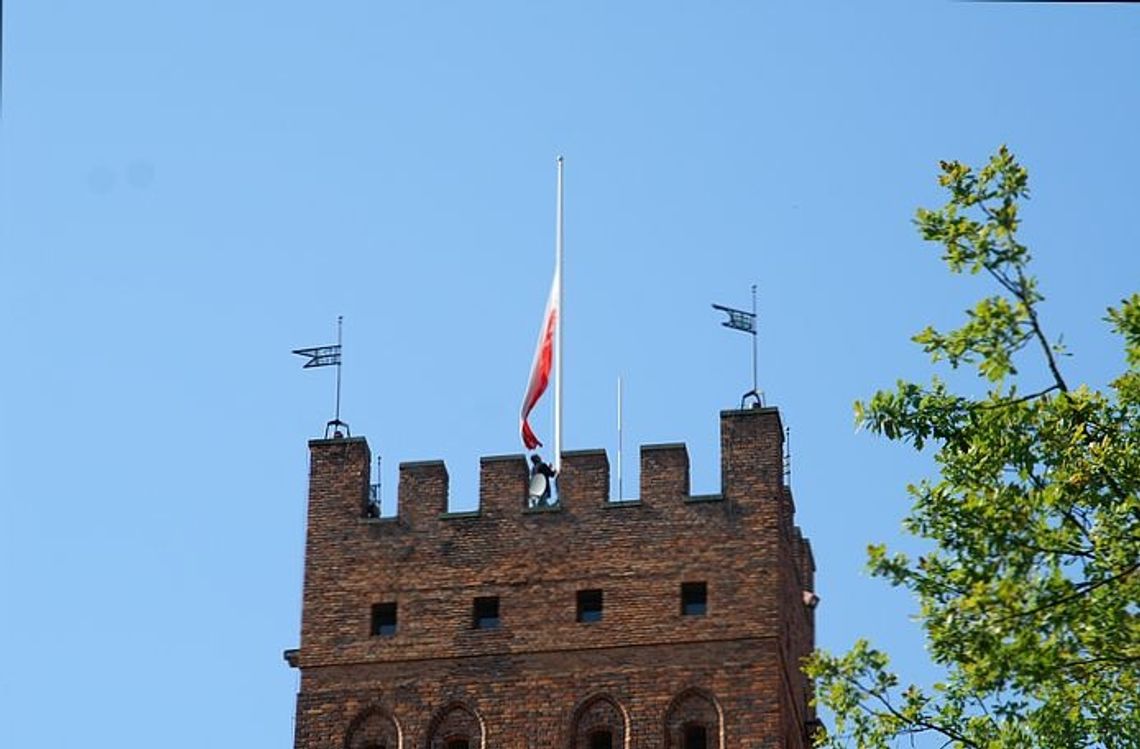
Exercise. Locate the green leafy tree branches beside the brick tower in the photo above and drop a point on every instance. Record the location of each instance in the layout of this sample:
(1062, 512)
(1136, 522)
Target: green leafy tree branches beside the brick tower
(1030, 597)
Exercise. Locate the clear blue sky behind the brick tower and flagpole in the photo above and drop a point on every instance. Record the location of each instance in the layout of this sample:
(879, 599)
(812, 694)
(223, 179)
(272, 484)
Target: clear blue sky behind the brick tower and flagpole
(192, 190)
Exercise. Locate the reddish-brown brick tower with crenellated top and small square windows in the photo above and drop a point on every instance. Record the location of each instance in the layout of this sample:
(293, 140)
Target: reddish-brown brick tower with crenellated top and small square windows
(670, 622)
